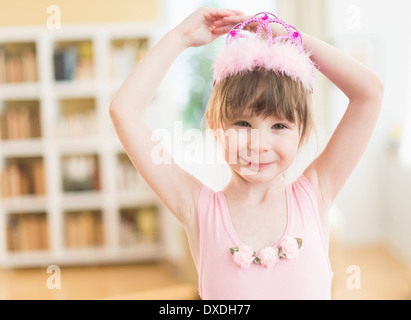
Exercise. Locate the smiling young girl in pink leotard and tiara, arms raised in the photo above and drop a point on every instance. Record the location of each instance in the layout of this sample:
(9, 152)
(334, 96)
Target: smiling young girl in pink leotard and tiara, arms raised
(261, 237)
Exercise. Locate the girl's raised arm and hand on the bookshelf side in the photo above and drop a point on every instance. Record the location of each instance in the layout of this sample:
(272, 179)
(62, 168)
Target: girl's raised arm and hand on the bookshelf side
(175, 187)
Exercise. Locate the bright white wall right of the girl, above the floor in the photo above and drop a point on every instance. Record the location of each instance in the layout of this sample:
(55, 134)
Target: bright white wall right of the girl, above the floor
(382, 29)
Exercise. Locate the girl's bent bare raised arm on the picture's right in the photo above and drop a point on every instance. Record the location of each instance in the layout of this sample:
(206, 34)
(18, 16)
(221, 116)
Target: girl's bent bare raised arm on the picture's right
(364, 90)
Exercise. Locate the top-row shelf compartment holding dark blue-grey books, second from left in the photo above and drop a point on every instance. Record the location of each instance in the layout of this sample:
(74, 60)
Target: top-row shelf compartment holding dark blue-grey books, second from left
(73, 60)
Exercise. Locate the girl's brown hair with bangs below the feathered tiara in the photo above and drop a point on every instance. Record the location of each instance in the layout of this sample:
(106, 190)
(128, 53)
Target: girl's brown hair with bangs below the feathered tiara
(264, 93)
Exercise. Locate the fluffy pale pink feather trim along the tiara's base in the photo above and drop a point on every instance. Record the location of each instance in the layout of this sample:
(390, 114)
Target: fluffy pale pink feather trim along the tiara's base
(280, 57)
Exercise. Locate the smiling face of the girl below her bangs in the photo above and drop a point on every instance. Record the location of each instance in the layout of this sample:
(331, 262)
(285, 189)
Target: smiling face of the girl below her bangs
(260, 149)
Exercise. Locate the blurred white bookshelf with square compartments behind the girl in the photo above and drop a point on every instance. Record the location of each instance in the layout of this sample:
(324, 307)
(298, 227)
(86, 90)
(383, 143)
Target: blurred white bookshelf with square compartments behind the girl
(109, 199)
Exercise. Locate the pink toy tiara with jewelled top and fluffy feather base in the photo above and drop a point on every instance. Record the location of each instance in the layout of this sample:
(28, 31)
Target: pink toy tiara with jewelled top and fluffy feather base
(247, 51)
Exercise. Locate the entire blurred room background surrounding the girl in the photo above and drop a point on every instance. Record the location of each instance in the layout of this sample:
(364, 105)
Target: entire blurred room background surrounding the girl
(78, 222)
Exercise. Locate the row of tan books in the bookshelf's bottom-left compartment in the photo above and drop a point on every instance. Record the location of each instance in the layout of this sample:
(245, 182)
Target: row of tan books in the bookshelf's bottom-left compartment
(27, 232)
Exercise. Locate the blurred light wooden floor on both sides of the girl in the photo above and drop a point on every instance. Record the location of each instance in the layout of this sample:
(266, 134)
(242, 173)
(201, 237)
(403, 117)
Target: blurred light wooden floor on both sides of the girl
(362, 273)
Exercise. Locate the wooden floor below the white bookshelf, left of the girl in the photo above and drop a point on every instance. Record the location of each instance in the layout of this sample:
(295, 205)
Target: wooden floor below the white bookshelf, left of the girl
(94, 282)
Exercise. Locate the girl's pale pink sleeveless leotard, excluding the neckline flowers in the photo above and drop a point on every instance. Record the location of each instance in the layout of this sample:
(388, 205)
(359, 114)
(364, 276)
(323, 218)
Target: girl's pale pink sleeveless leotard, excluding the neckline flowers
(307, 276)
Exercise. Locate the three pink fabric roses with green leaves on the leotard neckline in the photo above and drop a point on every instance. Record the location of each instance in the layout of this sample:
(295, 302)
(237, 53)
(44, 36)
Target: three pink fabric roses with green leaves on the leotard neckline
(268, 257)
